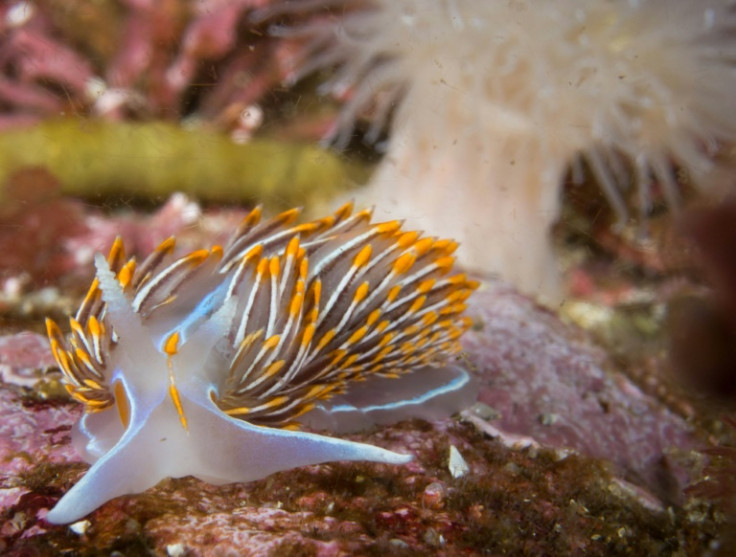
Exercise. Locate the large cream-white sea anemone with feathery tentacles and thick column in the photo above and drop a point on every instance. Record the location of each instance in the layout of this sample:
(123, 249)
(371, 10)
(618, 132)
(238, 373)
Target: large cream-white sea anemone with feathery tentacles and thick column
(493, 100)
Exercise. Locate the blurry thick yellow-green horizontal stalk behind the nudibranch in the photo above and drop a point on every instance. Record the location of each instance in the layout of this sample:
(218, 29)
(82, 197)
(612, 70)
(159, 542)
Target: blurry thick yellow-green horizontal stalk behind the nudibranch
(150, 160)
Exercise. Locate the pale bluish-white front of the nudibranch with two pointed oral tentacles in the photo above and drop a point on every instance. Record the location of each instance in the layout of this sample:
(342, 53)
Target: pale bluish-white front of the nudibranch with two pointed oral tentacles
(216, 448)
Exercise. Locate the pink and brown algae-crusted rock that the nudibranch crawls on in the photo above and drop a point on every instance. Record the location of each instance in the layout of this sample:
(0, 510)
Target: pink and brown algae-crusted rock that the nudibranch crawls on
(544, 389)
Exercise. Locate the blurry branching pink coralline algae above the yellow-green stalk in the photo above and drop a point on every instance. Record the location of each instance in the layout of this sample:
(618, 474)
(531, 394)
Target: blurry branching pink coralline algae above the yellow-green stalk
(136, 58)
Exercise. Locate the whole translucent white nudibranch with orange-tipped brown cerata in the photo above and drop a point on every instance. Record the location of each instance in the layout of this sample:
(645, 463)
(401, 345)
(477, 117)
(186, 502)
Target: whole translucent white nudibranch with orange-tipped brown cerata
(209, 363)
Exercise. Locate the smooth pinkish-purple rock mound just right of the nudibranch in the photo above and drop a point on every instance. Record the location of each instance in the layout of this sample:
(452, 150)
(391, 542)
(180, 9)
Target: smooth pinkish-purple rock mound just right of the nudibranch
(547, 381)
